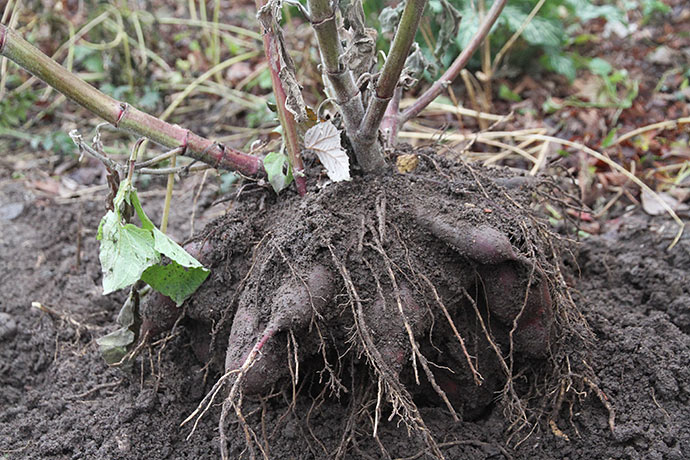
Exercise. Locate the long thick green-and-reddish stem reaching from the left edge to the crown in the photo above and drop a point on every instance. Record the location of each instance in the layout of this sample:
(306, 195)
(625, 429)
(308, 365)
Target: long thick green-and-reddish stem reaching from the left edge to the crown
(122, 115)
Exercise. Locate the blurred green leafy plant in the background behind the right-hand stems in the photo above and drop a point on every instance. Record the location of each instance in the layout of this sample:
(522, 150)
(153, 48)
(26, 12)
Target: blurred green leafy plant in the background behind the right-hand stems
(544, 37)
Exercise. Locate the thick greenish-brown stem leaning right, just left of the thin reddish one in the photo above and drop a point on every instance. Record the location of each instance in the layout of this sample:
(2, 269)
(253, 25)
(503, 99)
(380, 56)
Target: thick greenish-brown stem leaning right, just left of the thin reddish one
(385, 87)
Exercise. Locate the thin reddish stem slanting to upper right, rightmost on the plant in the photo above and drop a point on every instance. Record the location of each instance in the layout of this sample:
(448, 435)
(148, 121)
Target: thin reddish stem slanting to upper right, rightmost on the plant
(454, 70)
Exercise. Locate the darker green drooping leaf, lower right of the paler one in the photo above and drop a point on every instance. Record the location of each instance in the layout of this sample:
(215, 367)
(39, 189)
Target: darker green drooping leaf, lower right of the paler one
(174, 280)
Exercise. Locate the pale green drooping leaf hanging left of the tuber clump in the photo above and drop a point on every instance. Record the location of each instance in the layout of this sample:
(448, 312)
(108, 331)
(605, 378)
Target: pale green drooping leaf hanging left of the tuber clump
(126, 251)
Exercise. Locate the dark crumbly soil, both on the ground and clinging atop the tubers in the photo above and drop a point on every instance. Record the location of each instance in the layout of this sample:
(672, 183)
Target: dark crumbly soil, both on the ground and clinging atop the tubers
(58, 398)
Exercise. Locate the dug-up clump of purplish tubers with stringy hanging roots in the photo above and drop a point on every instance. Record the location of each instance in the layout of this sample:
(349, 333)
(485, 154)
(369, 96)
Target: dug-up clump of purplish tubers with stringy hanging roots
(340, 309)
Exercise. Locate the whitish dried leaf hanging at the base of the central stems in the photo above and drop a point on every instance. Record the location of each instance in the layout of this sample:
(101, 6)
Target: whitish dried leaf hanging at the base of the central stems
(324, 140)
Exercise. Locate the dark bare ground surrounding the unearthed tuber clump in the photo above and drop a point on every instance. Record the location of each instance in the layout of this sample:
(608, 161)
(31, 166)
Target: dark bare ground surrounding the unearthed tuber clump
(58, 399)
